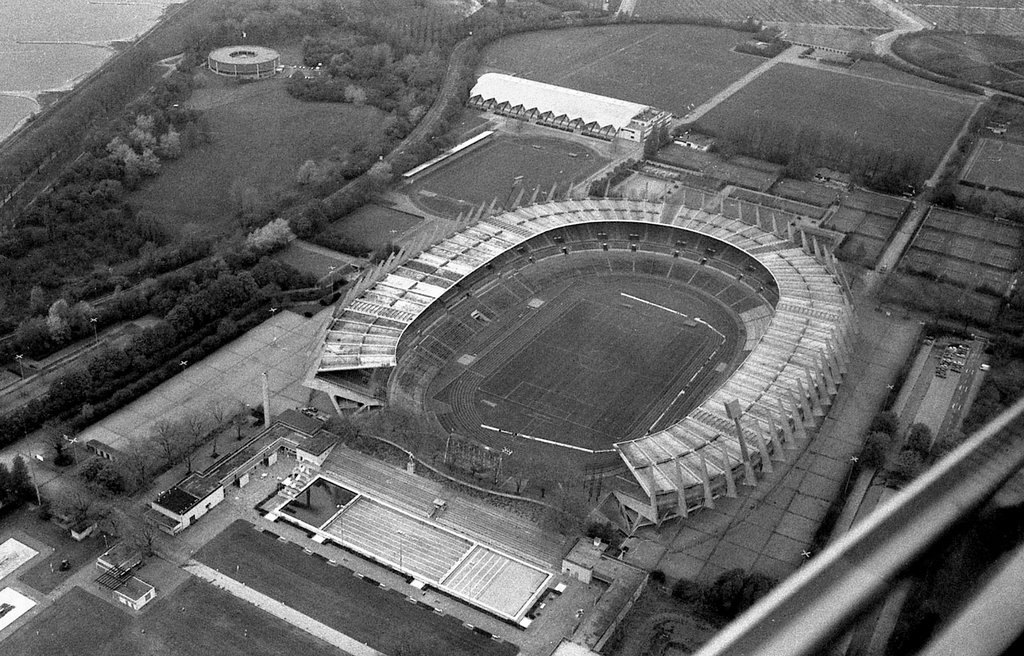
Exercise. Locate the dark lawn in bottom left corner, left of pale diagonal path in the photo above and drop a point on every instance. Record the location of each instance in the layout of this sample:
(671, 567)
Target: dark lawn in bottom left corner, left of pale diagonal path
(196, 621)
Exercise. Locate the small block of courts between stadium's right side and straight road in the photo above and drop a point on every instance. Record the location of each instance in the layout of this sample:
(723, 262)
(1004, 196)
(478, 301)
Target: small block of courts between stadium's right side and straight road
(869, 222)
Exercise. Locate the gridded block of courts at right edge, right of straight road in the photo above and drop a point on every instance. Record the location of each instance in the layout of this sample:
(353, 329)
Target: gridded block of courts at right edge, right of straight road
(968, 250)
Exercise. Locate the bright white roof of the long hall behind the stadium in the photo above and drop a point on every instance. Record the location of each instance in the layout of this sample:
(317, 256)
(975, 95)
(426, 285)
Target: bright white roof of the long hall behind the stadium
(548, 98)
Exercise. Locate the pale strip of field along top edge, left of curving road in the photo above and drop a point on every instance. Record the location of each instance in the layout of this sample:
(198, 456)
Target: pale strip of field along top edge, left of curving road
(862, 14)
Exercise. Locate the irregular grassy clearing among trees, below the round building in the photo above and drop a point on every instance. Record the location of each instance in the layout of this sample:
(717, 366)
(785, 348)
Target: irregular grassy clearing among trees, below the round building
(260, 139)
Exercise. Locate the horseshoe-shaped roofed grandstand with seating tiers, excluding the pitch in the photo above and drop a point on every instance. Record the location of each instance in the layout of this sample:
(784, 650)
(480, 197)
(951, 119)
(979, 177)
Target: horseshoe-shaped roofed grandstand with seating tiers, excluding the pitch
(786, 289)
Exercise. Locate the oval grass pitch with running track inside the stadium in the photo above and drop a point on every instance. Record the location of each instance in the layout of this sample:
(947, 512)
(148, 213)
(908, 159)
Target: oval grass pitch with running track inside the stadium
(605, 360)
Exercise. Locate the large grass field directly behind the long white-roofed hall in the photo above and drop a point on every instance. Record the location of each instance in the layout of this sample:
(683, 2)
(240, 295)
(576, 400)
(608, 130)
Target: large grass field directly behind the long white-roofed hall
(670, 67)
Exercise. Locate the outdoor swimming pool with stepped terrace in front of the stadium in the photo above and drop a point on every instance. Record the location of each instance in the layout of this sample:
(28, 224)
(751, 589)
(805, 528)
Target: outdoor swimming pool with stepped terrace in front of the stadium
(489, 558)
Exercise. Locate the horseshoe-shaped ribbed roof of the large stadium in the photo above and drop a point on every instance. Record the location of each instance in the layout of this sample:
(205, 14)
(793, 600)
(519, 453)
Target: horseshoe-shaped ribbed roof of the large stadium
(790, 345)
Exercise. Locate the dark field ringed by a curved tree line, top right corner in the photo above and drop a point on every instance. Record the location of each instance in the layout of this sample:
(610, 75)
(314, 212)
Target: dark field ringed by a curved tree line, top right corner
(983, 59)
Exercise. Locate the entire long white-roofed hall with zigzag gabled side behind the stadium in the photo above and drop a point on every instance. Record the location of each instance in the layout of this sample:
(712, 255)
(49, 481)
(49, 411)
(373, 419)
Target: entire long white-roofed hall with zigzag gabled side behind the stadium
(564, 109)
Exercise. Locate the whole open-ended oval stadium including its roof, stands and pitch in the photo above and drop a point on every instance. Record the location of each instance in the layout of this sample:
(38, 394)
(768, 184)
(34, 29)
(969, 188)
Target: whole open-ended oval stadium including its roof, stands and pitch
(692, 348)
